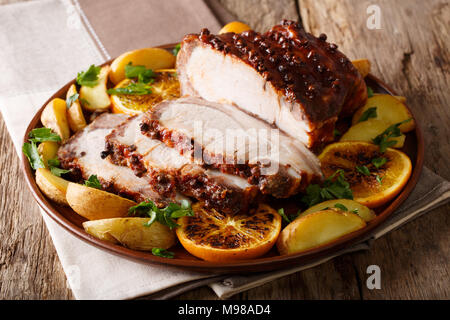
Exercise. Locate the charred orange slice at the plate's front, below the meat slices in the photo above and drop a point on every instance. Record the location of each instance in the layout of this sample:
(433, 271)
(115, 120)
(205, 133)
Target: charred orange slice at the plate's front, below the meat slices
(212, 236)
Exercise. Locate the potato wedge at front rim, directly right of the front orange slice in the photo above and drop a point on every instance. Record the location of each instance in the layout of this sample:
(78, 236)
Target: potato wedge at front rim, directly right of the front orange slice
(316, 229)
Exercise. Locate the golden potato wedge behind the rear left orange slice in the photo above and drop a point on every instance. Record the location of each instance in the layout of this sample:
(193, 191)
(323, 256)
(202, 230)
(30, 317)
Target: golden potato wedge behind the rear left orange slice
(151, 58)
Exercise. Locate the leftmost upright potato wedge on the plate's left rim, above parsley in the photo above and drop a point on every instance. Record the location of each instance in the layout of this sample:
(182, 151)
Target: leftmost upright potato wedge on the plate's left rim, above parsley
(54, 117)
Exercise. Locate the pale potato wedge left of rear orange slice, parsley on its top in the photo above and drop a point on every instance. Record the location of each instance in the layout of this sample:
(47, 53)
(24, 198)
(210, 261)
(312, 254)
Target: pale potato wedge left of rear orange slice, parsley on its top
(96, 98)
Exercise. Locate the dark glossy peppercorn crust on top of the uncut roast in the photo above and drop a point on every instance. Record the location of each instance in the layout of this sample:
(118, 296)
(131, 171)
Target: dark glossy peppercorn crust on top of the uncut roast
(306, 69)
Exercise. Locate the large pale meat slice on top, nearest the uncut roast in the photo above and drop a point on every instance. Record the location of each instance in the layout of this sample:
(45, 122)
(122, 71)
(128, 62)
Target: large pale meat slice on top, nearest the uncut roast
(226, 138)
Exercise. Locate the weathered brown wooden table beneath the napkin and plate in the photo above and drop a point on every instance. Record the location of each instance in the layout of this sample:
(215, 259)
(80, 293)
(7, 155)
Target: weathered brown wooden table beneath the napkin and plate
(410, 52)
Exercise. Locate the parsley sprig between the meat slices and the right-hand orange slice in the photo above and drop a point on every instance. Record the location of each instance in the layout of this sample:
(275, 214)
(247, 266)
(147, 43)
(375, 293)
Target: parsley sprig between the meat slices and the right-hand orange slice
(334, 187)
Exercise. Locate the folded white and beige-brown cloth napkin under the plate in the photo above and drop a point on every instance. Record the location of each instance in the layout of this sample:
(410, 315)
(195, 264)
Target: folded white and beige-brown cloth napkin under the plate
(56, 39)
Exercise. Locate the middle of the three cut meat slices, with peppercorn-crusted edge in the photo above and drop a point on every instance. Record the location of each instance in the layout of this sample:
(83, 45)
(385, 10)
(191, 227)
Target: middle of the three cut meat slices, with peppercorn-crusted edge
(169, 172)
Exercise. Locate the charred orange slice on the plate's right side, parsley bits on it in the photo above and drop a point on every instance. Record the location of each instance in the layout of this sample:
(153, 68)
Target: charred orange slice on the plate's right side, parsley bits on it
(367, 189)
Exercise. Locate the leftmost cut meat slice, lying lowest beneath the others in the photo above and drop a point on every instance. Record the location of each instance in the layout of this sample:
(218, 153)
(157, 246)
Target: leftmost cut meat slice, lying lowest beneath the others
(82, 154)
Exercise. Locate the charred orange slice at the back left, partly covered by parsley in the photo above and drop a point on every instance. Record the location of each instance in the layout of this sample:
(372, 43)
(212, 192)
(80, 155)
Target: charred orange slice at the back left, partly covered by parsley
(165, 87)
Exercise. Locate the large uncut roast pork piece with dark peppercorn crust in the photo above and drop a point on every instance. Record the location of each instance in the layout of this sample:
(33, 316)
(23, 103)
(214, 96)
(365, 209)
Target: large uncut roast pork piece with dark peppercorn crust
(285, 76)
